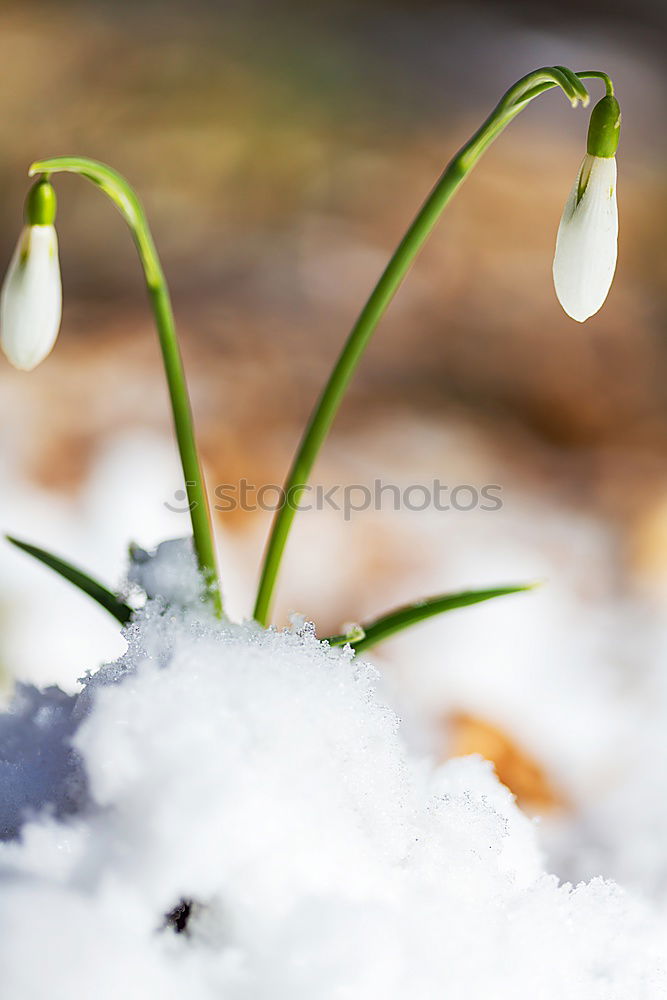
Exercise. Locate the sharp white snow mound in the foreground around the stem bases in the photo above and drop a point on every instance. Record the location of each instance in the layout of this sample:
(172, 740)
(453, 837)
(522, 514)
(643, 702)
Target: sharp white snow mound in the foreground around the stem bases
(262, 776)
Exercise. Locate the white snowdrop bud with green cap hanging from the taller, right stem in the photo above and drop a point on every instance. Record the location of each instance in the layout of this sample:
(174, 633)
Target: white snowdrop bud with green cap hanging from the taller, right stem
(586, 246)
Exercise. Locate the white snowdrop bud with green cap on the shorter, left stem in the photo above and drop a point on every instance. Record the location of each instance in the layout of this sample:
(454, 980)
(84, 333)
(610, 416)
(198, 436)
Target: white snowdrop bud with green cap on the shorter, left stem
(31, 301)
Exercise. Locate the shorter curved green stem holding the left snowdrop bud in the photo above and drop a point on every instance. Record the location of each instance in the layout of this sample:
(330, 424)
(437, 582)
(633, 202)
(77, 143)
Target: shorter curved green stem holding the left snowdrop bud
(126, 201)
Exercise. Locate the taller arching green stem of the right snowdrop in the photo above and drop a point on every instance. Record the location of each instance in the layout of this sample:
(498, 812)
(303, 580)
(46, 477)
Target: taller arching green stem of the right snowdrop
(510, 105)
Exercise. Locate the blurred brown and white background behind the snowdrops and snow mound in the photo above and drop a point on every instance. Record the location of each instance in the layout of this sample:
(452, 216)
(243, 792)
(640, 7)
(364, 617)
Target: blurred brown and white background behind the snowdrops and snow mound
(281, 149)
